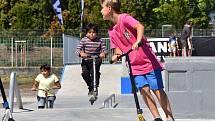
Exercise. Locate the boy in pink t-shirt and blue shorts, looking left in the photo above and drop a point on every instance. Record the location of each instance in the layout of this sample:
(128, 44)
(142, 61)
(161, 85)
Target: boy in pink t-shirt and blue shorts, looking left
(126, 33)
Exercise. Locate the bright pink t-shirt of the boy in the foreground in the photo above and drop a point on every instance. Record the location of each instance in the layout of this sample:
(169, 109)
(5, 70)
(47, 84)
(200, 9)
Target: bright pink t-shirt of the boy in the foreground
(123, 35)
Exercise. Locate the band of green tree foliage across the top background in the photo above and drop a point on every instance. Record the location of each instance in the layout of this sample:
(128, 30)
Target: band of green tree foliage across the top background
(39, 14)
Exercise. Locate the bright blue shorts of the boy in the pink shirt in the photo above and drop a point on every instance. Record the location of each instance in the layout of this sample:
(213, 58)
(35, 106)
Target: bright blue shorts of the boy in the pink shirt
(152, 79)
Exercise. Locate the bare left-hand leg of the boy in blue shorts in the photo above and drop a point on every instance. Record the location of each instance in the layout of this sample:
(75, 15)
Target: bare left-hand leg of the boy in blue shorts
(150, 102)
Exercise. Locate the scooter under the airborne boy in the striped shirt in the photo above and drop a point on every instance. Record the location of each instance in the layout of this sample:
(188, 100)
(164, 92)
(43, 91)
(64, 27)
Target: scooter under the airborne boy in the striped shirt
(94, 96)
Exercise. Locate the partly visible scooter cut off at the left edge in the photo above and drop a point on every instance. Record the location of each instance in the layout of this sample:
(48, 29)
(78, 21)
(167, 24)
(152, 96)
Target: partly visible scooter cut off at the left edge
(5, 105)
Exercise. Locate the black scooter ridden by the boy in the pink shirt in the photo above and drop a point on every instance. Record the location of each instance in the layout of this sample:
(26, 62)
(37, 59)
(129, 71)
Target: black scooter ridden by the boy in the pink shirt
(139, 110)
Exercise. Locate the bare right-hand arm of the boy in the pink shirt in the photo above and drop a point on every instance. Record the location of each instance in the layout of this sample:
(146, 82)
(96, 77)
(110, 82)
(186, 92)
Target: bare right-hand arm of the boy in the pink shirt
(140, 30)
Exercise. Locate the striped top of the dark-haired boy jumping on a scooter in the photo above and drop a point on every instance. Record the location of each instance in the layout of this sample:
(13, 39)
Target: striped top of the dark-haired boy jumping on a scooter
(90, 47)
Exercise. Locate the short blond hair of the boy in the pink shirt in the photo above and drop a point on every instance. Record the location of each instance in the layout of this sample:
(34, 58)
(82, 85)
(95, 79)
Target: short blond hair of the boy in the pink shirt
(114, 4)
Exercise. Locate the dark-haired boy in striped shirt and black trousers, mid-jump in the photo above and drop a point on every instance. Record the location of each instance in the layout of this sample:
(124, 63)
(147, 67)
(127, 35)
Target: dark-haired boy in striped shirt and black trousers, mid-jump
(91, 45)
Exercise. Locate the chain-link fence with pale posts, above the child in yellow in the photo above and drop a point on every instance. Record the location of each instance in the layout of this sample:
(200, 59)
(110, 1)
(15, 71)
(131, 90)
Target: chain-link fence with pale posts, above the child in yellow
(33, 51)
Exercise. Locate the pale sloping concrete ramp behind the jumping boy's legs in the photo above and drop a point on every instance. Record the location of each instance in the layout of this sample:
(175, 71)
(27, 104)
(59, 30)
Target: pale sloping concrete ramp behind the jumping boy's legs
(74, 85)
